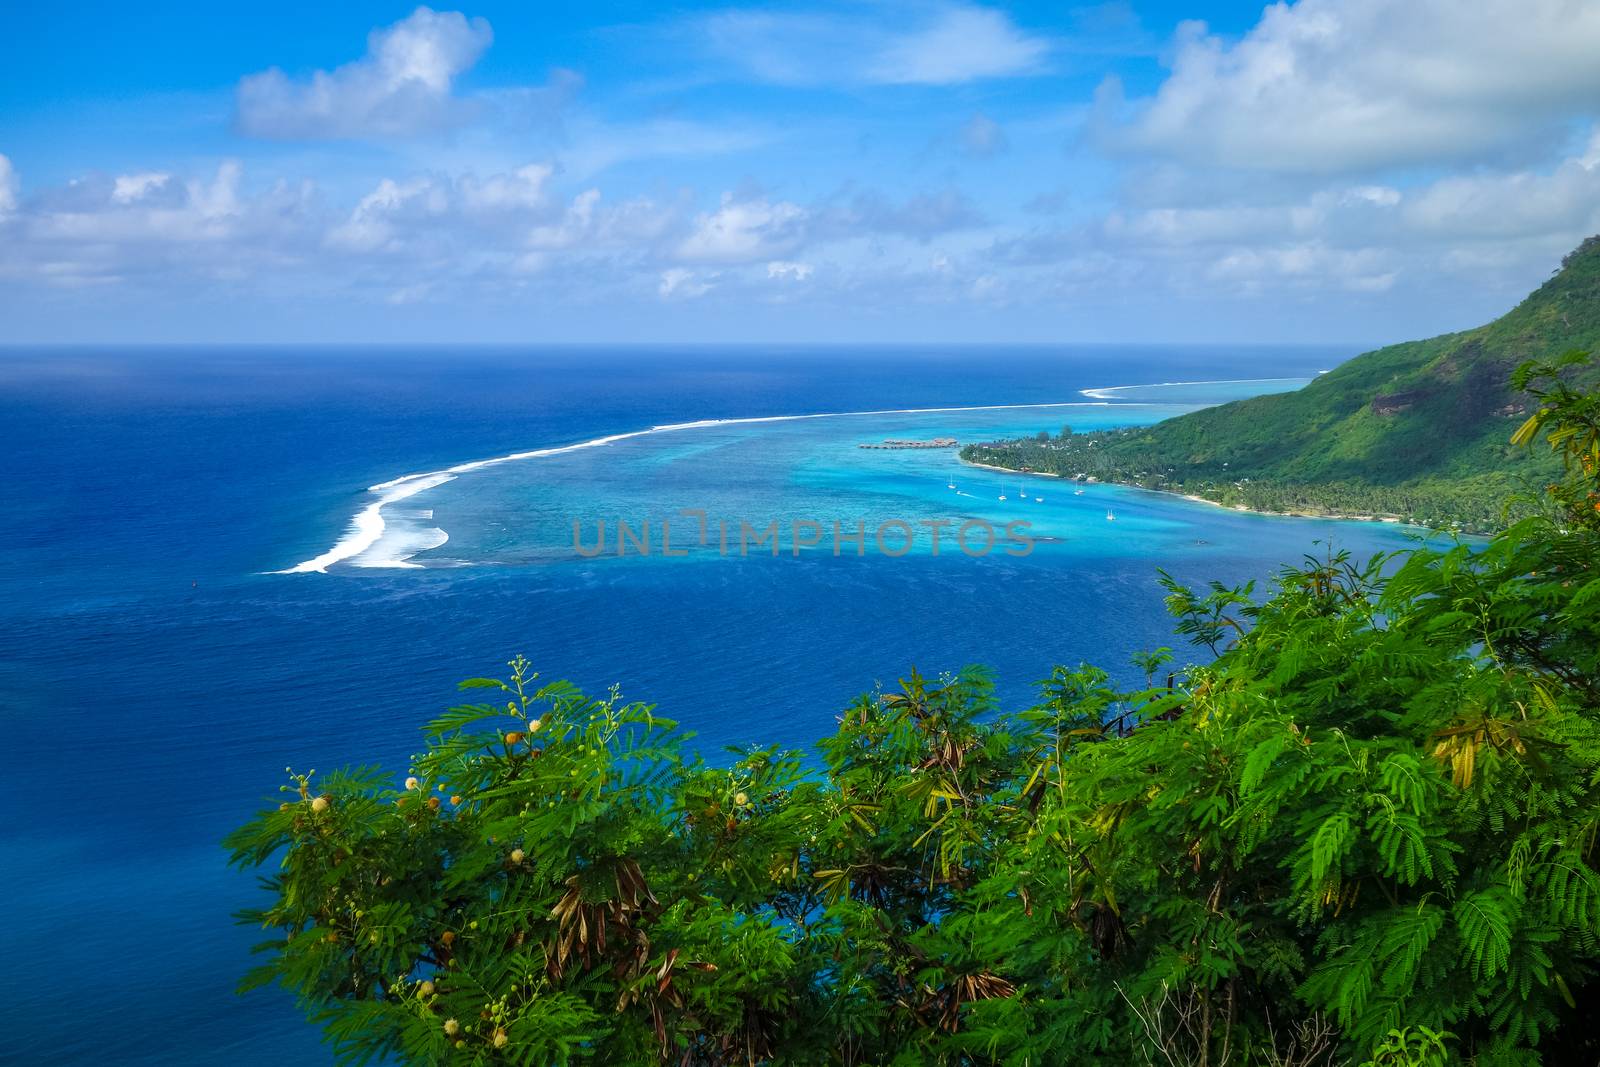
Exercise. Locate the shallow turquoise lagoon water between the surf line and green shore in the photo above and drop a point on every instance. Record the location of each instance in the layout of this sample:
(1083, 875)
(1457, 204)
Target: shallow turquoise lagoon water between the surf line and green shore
(721, 486)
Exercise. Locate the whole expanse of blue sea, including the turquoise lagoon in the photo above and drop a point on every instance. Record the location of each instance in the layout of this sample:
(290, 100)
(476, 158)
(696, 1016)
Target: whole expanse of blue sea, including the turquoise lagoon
(158, 676)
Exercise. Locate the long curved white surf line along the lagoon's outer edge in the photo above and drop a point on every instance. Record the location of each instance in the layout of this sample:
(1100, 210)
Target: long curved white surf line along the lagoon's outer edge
(369, 524)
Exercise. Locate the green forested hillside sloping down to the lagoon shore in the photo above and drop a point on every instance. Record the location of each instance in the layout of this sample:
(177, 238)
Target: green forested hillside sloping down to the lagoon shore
(1417, 431)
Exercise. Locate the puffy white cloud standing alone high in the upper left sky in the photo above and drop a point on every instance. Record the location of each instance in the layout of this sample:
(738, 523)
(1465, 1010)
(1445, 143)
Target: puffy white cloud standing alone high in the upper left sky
(402, 87)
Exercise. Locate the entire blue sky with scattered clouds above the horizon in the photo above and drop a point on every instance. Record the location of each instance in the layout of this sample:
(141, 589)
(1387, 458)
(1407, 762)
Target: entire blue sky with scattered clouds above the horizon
(871, 172)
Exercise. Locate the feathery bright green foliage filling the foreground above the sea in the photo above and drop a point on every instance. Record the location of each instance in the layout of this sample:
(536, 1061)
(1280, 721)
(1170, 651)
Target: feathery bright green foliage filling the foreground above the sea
(1364, 833)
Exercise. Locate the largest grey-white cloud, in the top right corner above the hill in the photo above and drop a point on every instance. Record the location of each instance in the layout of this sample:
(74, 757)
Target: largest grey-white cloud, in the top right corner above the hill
(1348, 86)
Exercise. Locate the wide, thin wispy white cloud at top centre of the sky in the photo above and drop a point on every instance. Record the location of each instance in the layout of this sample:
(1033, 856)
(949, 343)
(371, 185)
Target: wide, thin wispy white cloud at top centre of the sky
(950, 46)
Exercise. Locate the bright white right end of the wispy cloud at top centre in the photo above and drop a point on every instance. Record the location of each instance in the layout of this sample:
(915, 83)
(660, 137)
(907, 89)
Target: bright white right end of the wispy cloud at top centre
(962, 44)
